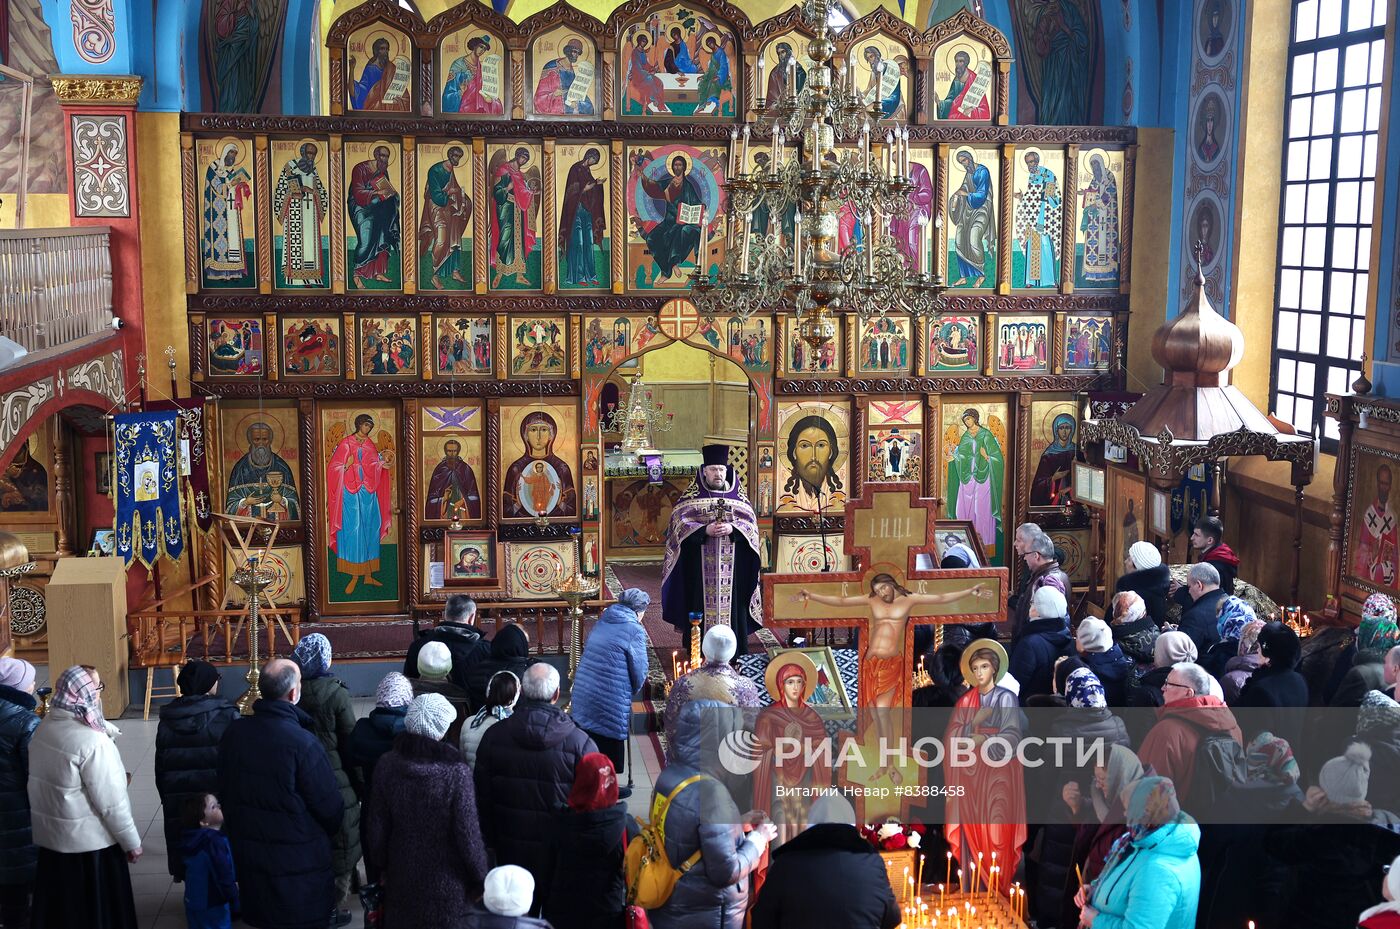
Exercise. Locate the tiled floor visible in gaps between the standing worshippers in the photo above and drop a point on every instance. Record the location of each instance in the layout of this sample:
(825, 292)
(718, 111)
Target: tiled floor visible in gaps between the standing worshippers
(160, 903)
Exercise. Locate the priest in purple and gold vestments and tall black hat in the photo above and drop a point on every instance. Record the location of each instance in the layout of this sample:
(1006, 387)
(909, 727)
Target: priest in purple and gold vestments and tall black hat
(712, 563)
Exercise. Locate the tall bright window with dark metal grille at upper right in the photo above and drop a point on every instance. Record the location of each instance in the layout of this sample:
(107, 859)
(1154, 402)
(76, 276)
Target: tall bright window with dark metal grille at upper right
(1333, 106)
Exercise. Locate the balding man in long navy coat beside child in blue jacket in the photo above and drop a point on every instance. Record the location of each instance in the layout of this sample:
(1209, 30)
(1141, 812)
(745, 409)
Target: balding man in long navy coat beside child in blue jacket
(281, 808)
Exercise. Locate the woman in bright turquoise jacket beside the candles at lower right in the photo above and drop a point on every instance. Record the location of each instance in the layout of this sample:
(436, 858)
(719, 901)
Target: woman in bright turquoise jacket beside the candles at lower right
(1153, 879)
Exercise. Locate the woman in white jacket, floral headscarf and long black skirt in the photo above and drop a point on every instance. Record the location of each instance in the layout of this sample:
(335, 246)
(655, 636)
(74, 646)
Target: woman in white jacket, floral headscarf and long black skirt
(82, 814)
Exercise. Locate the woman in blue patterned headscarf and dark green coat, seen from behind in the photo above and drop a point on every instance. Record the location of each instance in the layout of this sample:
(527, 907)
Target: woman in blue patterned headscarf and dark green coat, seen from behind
(327, 700)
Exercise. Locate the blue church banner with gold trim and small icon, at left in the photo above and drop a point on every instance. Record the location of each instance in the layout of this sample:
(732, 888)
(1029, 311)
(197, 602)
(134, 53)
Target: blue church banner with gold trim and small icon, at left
(149, 523)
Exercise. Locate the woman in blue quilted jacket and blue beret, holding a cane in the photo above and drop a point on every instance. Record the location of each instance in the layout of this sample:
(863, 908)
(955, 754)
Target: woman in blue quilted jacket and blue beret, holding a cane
(611, 671)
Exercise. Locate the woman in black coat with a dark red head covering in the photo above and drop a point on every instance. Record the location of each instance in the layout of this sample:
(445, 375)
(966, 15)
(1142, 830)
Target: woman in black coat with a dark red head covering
(587, 889)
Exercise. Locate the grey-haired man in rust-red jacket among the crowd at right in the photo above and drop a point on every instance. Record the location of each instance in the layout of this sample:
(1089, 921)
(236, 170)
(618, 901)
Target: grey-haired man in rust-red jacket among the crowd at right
(1188, 717)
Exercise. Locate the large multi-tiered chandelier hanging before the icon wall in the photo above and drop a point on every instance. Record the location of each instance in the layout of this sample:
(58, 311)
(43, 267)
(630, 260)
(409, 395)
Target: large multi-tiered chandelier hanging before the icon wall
(821, 171)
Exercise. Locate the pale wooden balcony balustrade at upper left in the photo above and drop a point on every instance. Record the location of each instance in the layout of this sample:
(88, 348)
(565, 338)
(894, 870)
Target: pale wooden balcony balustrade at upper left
(55, 288)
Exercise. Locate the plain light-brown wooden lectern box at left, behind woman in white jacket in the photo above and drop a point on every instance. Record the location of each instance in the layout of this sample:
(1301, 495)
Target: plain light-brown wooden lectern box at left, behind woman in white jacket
(87, 625)
